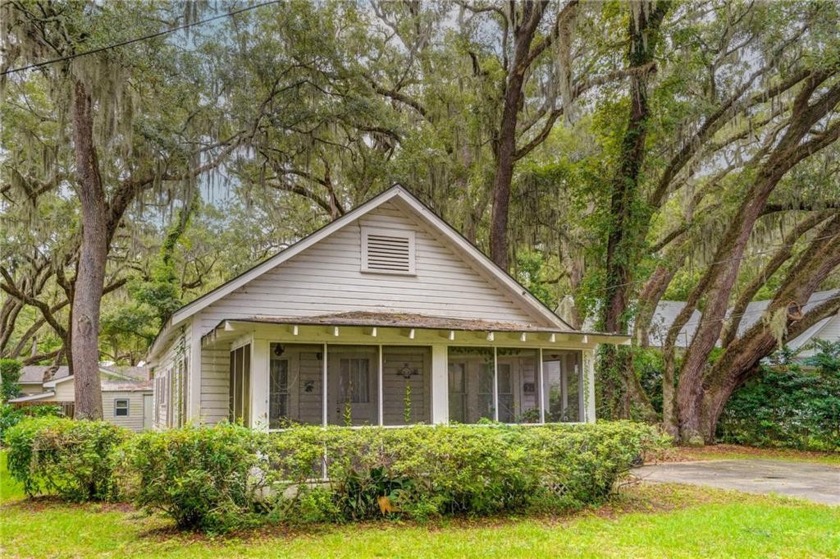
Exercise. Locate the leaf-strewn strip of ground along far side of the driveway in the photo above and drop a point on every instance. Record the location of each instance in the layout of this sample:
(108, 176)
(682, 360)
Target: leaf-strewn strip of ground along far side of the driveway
(737, 452)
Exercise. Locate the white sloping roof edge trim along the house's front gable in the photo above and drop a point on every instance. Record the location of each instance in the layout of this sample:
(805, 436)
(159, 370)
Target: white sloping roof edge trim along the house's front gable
(396, 192)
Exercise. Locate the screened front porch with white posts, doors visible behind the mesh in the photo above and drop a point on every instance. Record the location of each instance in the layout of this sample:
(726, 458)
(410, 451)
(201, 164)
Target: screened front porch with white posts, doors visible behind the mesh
(395, 385)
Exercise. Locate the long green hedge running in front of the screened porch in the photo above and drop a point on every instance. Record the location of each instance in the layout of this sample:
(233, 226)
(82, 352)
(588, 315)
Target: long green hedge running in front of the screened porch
(219, 478)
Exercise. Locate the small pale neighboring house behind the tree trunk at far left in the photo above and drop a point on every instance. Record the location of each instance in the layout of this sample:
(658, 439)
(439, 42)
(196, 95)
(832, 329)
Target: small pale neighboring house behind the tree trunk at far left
(126, 393)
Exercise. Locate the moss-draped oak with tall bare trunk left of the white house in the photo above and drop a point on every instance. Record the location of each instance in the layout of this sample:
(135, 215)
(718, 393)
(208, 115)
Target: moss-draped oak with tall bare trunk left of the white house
(135, 120)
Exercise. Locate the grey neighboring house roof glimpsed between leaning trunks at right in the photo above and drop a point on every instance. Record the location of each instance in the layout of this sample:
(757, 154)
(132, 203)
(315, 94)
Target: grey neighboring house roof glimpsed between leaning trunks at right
(827, 329)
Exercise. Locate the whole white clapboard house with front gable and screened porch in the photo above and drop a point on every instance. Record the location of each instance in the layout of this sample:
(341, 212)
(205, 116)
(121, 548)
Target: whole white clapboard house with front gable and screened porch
(386, 316)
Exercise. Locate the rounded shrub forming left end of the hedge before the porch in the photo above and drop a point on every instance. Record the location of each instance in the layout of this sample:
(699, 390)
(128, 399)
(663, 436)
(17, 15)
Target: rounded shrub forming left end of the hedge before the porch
(205, 478)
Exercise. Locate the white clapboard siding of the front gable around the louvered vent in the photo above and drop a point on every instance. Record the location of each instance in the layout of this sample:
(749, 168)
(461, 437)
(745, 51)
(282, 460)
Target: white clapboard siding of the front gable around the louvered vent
(327, 279)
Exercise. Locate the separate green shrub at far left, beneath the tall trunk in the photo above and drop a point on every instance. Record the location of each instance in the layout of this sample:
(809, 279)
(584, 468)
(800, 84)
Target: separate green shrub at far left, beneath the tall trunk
(63, 456)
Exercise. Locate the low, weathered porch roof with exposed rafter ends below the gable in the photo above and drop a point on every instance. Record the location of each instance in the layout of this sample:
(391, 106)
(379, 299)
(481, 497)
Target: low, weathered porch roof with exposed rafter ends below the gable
(368, 319)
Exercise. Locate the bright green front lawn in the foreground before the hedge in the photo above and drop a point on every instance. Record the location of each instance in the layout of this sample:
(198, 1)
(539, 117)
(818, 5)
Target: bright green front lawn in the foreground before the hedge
(642, 521)
